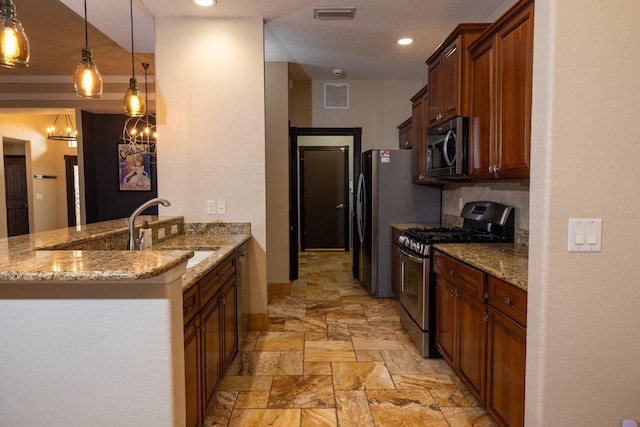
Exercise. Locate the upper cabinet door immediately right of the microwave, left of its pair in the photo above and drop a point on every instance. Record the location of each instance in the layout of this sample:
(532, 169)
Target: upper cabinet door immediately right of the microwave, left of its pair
(482, 120)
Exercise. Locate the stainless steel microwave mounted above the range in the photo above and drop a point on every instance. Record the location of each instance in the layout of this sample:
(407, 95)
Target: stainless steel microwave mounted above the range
(447, 149)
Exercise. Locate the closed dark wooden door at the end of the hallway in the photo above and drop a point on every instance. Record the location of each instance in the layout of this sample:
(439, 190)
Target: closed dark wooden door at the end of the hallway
(324, 190)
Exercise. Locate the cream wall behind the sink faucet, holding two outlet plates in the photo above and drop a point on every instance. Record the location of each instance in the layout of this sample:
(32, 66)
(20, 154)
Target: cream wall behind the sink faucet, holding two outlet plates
(210, 88)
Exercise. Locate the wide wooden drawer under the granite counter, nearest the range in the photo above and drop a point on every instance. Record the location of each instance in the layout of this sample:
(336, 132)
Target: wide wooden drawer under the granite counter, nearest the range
(468, 279)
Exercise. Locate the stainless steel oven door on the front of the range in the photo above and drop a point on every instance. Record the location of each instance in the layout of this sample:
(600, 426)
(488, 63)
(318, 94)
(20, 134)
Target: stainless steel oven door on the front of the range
(414, 287)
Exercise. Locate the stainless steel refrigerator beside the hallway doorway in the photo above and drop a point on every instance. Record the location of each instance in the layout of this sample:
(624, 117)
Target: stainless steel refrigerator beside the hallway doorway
(385, 194)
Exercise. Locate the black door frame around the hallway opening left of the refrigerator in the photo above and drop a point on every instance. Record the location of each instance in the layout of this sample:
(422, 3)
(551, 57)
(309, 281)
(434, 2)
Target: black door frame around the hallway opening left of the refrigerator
(299, 137)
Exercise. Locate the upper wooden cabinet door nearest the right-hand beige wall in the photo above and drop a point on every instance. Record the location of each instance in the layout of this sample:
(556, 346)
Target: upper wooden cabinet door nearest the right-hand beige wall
(514, 57)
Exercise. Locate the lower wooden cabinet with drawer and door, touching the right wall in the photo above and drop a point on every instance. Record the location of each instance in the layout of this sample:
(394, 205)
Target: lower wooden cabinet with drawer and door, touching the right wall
(506, 353)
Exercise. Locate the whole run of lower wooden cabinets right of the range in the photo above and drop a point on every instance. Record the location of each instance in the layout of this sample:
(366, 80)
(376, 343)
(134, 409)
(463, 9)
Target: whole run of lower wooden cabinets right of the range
(481, 333)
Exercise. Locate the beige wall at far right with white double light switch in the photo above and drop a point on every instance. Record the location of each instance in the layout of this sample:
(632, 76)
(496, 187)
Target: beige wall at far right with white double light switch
(583, 335)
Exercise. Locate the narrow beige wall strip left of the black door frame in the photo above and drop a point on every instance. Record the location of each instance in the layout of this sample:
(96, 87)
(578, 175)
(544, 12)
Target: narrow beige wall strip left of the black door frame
(277, 171)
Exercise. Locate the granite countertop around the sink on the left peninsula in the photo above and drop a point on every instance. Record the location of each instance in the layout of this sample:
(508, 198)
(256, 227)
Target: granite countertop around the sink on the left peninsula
(51, 256)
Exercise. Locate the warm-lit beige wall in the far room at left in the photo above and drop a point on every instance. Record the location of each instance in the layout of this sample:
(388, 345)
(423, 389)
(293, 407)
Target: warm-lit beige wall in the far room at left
(48, 203)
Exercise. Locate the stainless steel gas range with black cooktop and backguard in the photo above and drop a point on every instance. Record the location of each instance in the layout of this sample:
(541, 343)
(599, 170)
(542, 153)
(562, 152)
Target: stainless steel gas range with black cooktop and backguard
(483, 222)
